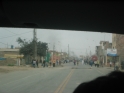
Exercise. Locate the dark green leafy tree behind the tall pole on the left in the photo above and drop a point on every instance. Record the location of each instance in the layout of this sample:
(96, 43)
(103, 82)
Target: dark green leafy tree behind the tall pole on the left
(27, 47)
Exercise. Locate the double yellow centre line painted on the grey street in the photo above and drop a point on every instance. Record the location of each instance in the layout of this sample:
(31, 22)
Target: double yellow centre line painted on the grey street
(64, 83)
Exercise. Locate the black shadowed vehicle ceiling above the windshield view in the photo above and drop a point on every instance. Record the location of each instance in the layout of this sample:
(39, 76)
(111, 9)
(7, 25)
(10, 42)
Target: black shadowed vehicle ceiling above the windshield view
(78, 16)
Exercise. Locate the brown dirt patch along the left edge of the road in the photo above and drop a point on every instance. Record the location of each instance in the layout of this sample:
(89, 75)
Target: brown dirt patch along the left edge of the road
(7, 69)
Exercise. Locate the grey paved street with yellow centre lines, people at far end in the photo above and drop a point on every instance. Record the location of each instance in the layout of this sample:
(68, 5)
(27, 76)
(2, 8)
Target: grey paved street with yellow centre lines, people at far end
(49, 80)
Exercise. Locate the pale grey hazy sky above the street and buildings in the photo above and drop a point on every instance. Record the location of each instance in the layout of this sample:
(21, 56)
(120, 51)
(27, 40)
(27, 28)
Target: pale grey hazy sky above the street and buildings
(79, 41)
